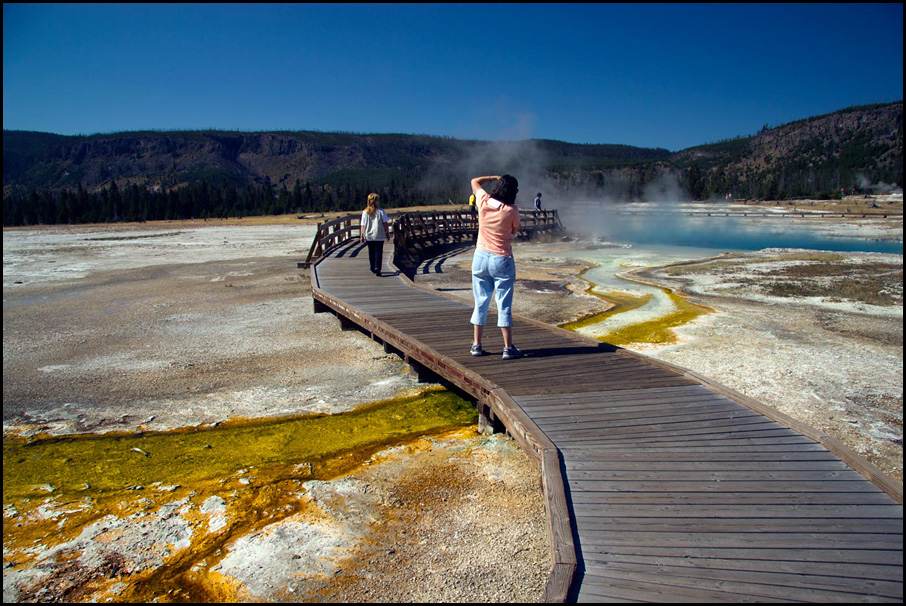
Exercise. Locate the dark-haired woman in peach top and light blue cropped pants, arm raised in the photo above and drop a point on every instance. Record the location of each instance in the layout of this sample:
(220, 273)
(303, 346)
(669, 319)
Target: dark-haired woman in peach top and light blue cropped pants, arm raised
(493, 265)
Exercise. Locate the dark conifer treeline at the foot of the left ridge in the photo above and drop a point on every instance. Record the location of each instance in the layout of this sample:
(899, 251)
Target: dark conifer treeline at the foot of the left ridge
(112, 204)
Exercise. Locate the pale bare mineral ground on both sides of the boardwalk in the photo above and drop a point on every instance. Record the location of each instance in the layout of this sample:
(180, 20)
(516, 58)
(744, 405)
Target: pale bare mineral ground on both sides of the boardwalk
(115, 328)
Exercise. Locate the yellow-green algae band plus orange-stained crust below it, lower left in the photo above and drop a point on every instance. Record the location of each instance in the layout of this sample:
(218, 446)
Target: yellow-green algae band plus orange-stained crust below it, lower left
(155, 496)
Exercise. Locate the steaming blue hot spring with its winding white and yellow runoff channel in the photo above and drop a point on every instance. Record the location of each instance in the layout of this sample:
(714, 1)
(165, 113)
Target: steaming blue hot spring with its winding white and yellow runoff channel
(654, 237)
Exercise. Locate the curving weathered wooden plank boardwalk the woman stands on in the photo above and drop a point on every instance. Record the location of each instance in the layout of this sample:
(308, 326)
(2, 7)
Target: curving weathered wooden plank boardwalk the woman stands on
(659, 484)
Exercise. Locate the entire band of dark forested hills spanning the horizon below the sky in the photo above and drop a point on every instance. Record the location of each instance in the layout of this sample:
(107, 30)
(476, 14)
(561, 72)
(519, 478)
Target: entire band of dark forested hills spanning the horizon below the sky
(51, 178)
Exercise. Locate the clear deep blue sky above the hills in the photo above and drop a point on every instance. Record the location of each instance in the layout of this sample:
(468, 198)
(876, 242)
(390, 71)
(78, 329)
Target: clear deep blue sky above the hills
(649, 75)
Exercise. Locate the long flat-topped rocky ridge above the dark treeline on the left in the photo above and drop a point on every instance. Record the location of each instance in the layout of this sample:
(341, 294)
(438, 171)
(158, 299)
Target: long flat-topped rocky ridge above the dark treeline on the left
(172, 159)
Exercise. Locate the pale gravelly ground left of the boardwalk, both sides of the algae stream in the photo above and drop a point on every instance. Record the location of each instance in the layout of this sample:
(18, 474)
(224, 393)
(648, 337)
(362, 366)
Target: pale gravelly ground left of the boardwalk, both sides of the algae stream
(153, 327)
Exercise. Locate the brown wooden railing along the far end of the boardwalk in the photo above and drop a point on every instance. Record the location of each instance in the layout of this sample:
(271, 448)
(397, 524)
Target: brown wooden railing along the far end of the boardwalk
(414, 232)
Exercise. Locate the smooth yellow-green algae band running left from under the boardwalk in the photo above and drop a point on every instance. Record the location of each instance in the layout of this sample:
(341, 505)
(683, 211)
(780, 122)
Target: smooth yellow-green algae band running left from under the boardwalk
(89, 464)
